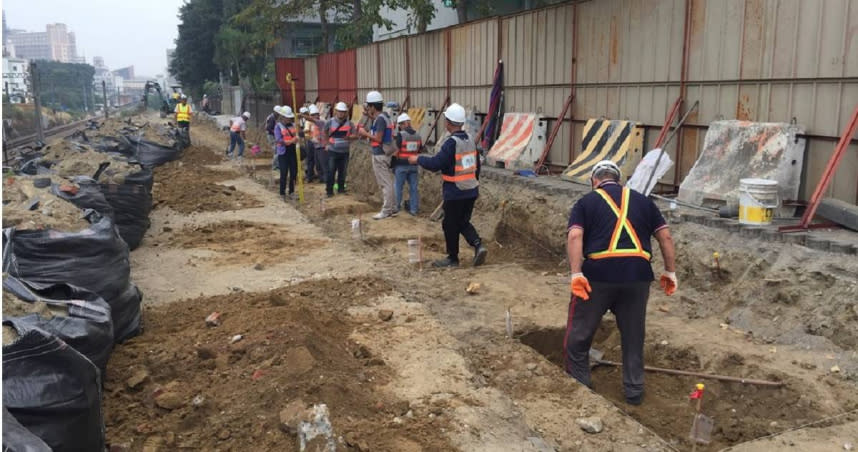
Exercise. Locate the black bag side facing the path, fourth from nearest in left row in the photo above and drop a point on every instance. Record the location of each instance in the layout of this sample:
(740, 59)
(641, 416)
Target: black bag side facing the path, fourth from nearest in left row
(131, 204)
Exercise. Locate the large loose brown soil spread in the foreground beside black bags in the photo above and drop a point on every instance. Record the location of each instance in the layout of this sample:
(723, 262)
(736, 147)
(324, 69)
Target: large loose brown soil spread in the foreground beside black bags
(185, 385)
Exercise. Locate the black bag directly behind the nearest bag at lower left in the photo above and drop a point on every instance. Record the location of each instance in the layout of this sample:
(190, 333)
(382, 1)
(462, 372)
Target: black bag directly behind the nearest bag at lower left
(85, 325)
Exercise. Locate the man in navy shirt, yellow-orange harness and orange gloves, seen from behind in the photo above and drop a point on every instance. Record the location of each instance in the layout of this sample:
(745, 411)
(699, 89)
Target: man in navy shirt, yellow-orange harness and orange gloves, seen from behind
(608, 242)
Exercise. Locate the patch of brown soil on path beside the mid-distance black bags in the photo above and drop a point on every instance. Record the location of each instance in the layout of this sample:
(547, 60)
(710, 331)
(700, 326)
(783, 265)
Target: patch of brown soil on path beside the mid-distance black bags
(195, 188)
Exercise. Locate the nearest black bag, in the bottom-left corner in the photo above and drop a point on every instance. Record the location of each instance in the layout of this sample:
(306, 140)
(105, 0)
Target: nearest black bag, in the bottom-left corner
(53, 391)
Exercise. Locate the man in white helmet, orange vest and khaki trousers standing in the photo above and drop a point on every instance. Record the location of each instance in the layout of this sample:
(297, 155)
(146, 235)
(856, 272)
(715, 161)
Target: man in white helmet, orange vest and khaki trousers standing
(383, 148)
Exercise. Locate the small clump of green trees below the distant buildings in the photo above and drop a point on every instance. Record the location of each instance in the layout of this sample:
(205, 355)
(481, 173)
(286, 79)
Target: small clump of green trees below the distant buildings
(65, 85)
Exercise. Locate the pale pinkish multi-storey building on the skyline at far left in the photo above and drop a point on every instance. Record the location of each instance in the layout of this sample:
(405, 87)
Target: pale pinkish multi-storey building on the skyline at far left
(56, 43)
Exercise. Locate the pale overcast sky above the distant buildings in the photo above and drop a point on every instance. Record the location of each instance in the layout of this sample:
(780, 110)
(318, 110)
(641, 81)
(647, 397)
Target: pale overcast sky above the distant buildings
(124, 32)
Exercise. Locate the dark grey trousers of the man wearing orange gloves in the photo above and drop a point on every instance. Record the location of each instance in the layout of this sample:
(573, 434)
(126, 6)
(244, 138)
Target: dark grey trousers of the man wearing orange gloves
(628, 303)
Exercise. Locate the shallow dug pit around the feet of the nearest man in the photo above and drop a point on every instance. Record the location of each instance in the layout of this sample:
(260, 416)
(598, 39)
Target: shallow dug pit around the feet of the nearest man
(741, 412)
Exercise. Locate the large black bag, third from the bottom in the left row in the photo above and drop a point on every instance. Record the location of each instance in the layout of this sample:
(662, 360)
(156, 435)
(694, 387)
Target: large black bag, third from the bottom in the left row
(95, 259)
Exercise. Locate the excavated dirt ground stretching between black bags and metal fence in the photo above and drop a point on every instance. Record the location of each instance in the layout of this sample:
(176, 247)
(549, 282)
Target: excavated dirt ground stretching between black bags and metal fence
(403, 357)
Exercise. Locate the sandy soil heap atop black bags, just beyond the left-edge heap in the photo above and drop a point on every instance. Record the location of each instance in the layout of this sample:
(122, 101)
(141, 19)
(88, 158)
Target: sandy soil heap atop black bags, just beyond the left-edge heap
(74, 159)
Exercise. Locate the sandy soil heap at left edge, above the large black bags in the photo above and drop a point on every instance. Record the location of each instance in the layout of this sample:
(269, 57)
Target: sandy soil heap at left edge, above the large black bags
(28, 207)
